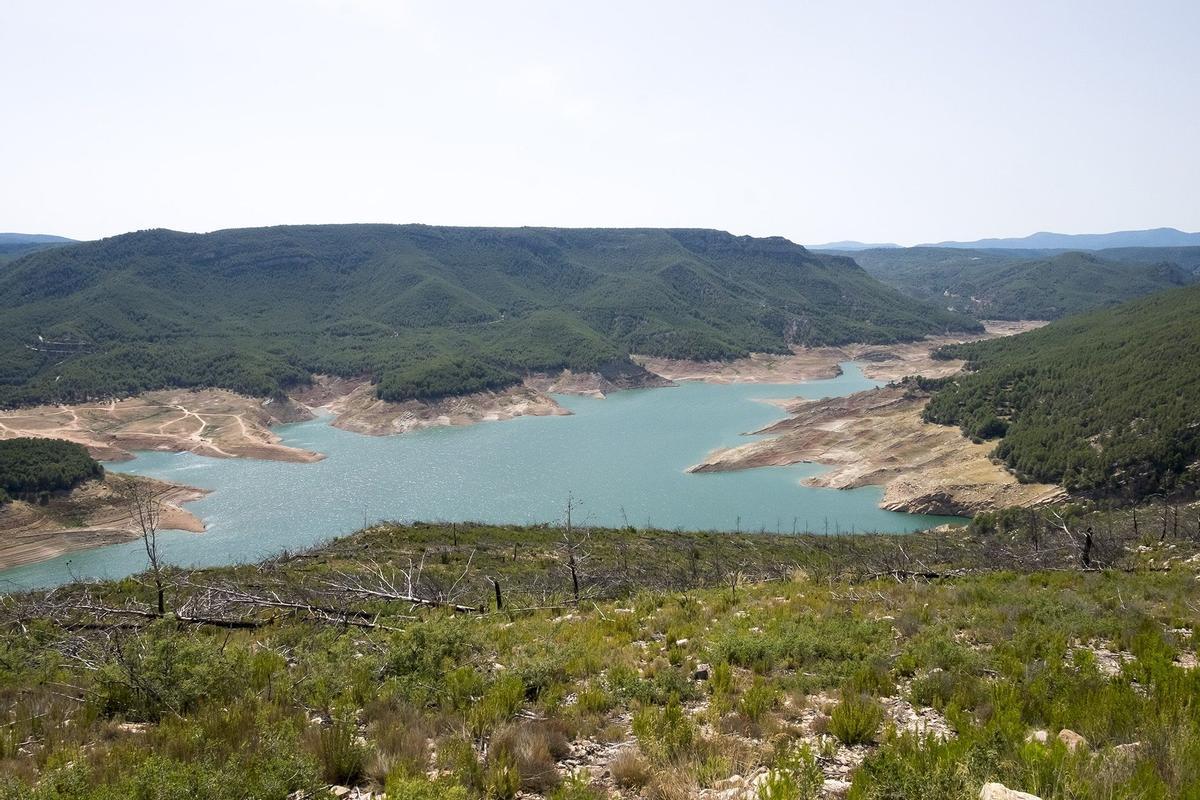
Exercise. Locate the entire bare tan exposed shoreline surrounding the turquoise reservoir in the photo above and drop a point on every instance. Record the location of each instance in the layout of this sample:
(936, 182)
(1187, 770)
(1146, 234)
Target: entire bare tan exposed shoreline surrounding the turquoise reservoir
(869, 438)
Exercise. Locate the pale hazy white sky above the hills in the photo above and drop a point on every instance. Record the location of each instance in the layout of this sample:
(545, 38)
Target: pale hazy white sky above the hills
(881, 122)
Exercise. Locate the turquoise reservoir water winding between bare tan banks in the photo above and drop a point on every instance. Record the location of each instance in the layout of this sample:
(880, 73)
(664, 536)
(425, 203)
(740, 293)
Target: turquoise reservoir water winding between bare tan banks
(623, 459)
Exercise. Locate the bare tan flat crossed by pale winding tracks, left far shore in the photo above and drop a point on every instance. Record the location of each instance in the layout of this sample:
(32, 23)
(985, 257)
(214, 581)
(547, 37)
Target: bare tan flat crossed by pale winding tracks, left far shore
(208, 423)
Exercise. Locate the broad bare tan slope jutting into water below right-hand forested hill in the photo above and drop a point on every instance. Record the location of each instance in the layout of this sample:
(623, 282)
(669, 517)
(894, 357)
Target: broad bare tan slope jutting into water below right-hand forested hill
(878, 438)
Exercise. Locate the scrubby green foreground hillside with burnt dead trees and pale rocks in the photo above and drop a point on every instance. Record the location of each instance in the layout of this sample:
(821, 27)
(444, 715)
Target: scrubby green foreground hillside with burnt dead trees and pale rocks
(437, 661)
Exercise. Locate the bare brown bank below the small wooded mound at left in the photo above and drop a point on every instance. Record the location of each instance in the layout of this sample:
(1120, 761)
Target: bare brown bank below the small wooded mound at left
(91, 516)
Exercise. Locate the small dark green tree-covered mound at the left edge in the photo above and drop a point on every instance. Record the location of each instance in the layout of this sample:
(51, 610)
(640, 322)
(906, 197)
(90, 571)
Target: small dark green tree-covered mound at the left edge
(34, 468)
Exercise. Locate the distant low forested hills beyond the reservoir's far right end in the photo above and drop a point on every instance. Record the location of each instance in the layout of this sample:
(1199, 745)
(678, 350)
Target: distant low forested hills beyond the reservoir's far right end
(1016, 285)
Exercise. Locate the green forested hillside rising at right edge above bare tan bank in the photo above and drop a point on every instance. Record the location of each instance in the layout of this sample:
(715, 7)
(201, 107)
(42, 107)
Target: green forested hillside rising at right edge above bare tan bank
(1106, 402)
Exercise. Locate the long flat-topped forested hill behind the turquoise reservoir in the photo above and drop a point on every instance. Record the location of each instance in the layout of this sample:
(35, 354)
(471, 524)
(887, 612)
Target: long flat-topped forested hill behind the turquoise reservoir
(428, 311)
